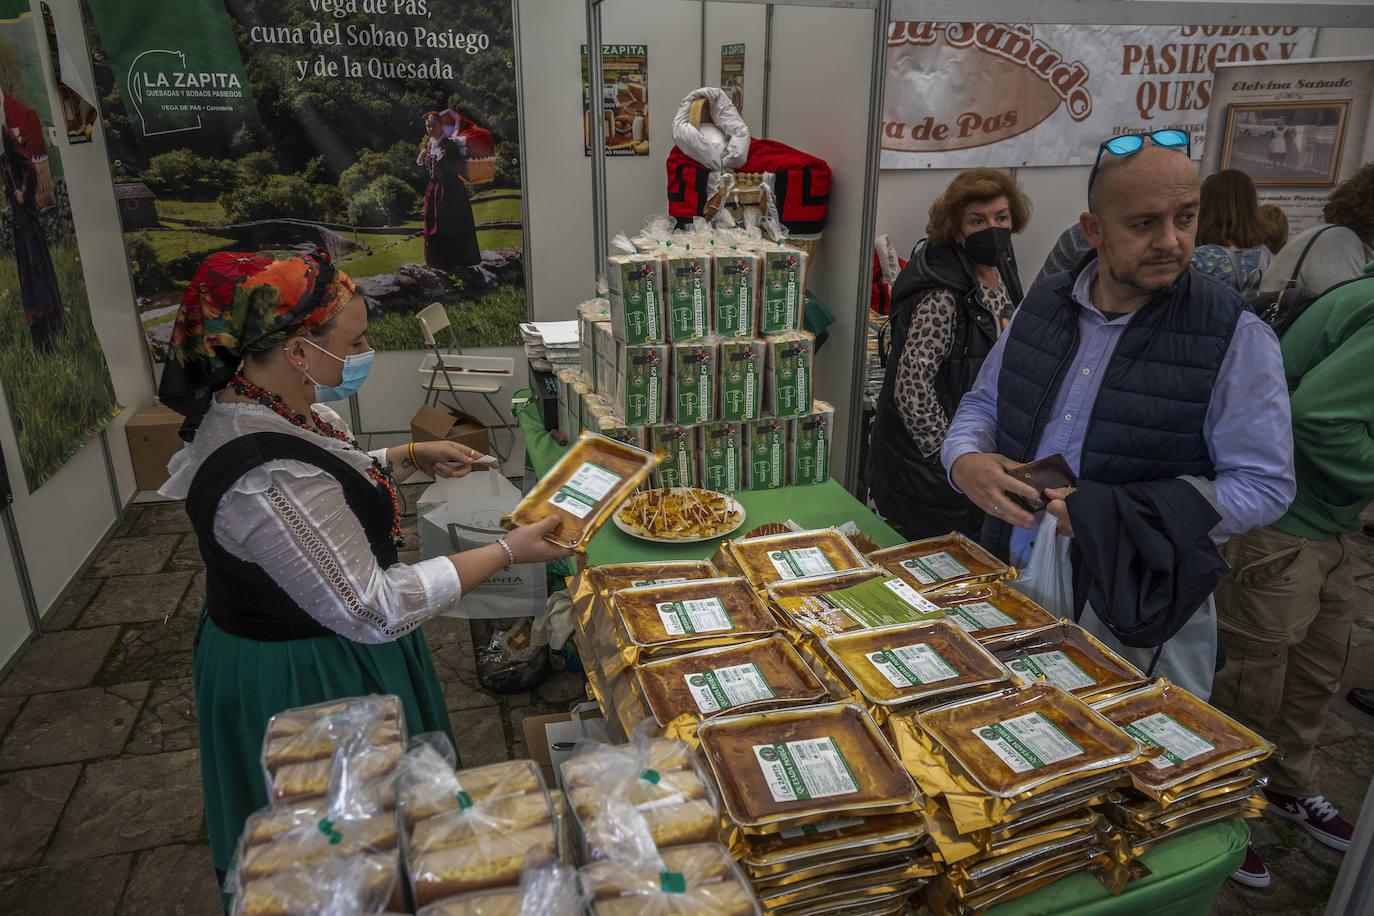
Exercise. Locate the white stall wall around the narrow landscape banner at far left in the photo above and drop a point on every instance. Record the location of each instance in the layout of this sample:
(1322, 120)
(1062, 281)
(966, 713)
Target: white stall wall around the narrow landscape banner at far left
(67, 521)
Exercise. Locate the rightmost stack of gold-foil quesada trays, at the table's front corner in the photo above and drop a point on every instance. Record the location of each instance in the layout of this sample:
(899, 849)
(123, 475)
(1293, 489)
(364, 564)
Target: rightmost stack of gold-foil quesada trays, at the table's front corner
(1204, 772)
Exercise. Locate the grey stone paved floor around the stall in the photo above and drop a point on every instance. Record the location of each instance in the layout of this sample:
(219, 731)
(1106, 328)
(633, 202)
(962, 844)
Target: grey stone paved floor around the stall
(100, 771)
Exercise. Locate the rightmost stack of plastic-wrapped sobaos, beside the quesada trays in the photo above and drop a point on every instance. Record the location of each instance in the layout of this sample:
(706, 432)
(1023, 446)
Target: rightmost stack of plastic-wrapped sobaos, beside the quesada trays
(649, 821)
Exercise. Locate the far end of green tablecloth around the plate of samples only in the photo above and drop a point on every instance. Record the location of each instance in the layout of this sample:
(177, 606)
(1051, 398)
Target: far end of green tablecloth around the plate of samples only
(809, 506)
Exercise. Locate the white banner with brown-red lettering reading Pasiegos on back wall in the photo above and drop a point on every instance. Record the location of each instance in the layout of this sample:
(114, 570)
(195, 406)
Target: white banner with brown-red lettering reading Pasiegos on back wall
(971, 94)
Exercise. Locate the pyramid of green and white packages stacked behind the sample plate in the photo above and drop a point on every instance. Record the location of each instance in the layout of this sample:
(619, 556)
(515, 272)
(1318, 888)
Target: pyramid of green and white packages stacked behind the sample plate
(699, 352)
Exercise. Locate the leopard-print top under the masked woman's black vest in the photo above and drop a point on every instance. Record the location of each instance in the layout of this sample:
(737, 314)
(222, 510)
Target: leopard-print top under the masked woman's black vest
(930, 343)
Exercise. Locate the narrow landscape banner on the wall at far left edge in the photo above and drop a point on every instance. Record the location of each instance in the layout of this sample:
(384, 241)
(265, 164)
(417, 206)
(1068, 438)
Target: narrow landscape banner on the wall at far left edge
(57, 382)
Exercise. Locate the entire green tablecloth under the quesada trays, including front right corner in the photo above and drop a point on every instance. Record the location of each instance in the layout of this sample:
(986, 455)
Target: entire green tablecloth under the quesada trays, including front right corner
(1186, 873)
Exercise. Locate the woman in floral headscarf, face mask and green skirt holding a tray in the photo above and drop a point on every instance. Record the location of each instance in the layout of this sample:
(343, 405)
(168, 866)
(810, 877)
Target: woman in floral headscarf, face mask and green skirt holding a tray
(299, 527)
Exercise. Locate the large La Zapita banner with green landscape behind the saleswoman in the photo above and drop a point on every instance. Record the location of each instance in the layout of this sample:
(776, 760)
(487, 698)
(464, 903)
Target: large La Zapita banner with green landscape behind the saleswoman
(297, 124)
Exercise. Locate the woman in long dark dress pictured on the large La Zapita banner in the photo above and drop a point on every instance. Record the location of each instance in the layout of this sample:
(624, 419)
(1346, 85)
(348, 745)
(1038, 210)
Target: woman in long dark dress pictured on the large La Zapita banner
(450, 230)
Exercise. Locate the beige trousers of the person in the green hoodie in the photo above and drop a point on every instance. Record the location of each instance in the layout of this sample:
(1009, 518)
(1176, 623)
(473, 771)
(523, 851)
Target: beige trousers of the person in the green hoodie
(1285, 615)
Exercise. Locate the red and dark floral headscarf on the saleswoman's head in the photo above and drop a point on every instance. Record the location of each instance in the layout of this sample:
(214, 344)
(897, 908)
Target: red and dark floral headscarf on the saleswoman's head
(241, 304)
